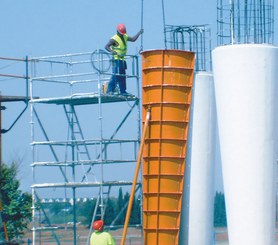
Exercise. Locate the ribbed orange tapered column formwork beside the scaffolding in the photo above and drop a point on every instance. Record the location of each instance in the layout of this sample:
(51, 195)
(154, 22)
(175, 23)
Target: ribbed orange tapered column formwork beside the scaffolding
(167, 89)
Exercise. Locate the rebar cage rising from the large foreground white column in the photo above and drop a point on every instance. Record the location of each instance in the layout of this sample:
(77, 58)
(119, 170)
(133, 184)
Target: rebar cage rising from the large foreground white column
(245, 21)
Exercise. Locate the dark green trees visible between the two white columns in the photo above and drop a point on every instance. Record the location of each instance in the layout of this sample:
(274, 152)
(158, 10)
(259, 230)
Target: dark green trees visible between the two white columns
(220, 219)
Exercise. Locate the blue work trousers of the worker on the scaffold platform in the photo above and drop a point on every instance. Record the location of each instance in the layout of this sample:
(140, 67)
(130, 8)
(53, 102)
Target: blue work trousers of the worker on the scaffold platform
(118, 77)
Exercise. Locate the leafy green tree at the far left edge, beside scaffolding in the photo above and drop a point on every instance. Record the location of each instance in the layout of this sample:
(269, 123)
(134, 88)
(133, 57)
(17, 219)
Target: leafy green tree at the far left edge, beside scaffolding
(17, 210)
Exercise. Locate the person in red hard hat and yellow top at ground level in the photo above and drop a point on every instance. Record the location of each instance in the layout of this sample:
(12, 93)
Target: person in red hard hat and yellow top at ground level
(100, 237)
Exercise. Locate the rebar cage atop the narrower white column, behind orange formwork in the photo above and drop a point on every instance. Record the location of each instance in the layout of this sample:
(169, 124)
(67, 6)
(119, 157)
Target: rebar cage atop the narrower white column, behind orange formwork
(194, 38)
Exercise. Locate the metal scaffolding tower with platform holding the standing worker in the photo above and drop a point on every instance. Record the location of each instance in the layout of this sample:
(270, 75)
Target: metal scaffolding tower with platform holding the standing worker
(83, 142)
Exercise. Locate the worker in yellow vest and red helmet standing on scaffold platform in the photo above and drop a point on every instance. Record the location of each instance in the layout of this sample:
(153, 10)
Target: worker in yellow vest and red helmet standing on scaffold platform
(117, 45)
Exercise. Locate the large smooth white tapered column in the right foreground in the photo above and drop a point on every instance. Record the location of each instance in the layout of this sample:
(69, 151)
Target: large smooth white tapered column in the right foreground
(246, 89)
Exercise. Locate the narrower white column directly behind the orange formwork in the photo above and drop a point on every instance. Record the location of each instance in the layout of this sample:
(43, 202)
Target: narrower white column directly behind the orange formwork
(201, 200)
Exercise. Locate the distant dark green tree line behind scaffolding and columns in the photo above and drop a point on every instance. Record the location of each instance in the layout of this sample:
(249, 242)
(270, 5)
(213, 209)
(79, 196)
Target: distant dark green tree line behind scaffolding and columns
(63, 212)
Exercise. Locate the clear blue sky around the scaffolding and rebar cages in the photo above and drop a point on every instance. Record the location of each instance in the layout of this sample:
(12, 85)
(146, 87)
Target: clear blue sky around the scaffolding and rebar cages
(51, 27)
